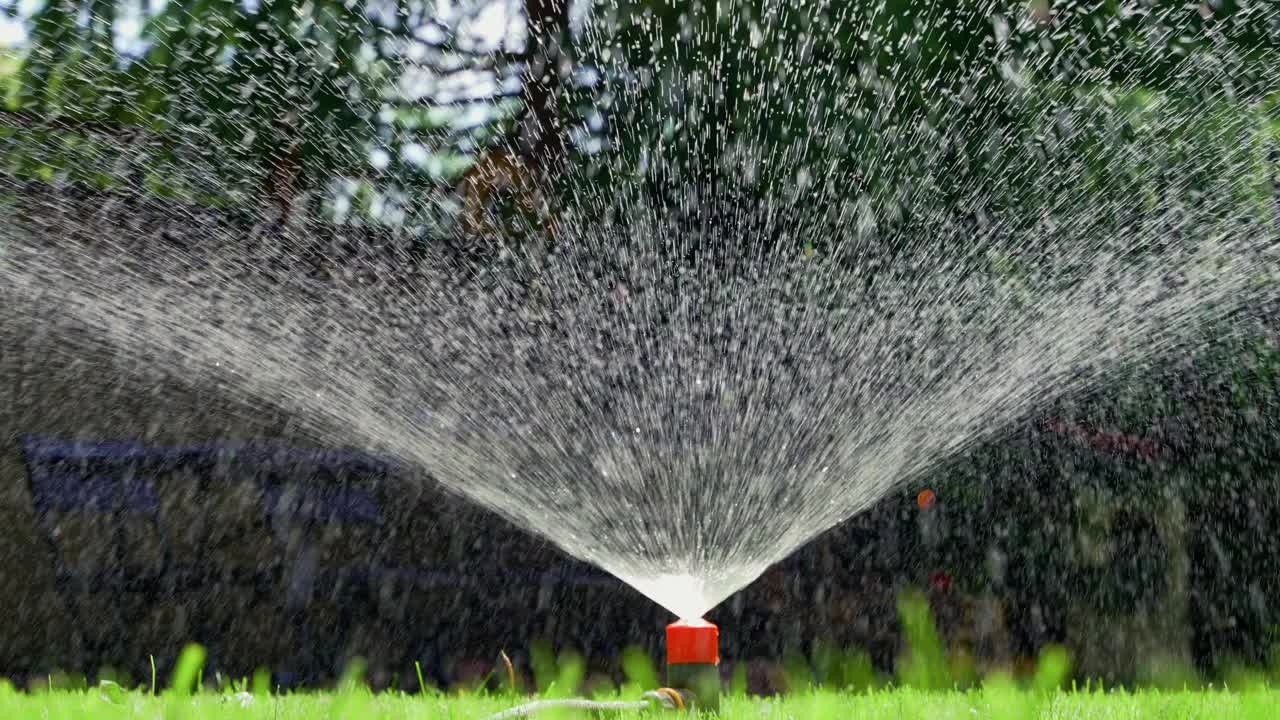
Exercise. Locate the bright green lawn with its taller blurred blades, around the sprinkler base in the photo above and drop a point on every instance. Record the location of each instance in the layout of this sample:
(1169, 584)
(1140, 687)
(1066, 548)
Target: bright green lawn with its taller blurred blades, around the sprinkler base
(926, 686)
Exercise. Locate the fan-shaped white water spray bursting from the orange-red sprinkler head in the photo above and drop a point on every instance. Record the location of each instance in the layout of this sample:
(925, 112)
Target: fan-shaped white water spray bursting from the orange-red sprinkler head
(751, 317)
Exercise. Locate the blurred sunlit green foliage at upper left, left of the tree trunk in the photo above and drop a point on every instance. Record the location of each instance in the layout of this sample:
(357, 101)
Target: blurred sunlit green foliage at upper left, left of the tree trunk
(226, 103)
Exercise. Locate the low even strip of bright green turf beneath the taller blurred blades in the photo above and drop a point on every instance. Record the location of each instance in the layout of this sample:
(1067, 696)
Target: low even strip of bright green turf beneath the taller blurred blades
(995, 701)
